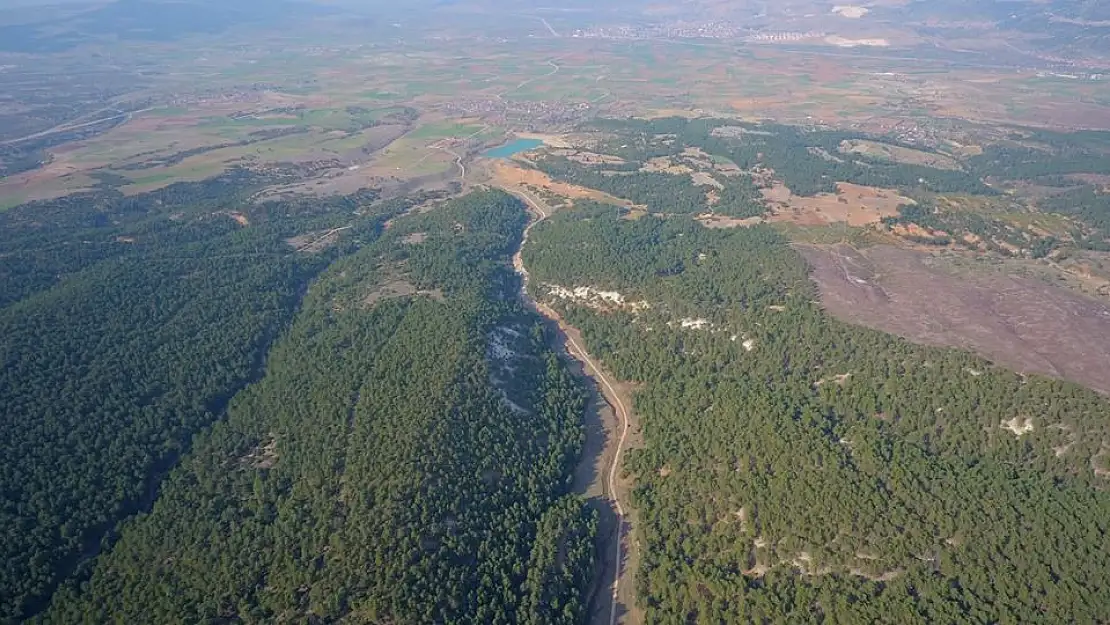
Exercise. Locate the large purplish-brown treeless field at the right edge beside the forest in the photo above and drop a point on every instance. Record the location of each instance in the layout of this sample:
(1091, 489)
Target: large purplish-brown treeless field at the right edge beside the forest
(1024, 325)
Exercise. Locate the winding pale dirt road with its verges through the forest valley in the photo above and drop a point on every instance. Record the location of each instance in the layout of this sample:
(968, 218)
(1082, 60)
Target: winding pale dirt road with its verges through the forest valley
(620, 603)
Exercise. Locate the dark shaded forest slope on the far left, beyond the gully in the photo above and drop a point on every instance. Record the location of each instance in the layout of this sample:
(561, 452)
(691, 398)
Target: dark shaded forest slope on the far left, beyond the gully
(127, 326)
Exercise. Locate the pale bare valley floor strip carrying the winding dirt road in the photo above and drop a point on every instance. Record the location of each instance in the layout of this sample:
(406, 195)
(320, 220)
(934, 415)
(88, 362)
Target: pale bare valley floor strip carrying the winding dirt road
(599, 477)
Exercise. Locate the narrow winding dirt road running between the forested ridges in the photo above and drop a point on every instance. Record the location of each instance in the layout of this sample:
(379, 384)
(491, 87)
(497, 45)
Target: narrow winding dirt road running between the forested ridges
(609, 391)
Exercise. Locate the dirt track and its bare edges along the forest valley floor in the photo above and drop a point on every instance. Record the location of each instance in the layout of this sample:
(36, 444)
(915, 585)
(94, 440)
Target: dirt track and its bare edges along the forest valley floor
(615, 527)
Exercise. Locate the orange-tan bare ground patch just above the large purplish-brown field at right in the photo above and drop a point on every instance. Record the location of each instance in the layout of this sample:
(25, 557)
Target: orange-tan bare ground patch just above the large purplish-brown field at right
(854, 205)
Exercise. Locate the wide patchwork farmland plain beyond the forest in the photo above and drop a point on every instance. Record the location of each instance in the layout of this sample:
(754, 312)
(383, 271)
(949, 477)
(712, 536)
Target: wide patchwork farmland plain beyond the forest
(260, 107)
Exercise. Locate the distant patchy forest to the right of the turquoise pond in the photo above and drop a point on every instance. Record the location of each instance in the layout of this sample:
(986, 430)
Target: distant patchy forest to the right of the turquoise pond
(810, 162)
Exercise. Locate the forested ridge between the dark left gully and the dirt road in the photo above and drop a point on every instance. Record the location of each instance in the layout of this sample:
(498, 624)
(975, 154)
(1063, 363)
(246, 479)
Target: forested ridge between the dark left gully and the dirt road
(385, 470)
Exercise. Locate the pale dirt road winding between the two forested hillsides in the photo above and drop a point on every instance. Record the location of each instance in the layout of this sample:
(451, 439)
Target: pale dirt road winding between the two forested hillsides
(611, 395)
